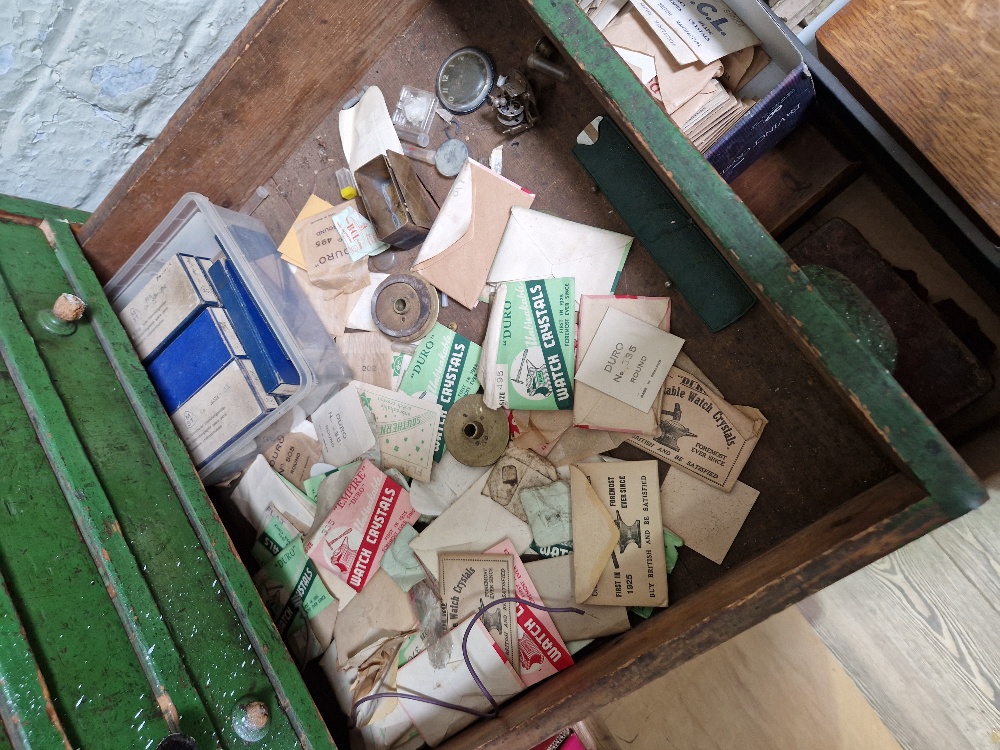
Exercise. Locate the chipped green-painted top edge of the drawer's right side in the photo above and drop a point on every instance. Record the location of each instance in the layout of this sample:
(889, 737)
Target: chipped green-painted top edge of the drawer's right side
(914, 441)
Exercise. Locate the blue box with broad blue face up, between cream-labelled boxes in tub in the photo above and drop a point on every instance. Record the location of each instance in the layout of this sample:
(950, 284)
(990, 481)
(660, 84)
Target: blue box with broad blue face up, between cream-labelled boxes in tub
(199, 353)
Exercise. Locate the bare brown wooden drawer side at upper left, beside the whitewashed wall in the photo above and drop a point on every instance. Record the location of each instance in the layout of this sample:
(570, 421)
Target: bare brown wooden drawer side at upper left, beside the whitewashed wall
(241, 122)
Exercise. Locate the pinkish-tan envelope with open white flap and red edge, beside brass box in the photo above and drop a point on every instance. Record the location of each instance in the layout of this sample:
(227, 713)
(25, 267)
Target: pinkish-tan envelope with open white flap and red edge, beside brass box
(461, 245)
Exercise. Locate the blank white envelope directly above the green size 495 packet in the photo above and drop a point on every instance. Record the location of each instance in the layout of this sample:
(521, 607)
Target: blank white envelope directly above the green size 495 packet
(539, 246)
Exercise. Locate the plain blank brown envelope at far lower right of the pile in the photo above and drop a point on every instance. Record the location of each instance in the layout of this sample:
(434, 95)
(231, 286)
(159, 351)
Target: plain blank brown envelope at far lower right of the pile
(707, 518)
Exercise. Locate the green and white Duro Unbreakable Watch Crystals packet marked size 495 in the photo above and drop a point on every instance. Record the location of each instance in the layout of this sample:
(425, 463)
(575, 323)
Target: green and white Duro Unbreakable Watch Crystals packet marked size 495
(528, 355)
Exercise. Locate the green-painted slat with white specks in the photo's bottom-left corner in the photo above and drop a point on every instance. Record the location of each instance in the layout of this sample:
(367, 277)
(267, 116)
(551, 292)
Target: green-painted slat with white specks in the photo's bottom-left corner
(25, 709)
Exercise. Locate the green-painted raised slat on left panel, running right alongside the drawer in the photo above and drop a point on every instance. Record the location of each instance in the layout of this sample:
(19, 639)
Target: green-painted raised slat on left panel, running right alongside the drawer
(292, 694)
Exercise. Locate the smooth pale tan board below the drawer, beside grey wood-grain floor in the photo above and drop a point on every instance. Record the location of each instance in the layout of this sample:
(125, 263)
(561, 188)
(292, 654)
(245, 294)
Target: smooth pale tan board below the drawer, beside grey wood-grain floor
(774, 687)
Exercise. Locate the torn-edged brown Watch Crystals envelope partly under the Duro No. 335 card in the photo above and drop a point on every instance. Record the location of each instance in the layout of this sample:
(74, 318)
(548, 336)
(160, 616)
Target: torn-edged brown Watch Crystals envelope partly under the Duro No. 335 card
(702, 433)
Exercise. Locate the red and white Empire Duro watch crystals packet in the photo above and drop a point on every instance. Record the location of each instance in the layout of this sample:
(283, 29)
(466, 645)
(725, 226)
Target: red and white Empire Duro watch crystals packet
(360, 528)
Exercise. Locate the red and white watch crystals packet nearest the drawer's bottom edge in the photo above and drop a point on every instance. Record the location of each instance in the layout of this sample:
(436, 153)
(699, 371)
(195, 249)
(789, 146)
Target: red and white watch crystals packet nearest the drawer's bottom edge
(542, 650)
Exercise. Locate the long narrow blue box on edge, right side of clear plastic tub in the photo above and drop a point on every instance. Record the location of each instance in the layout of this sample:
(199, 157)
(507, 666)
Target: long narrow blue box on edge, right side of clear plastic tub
(276, 371)
